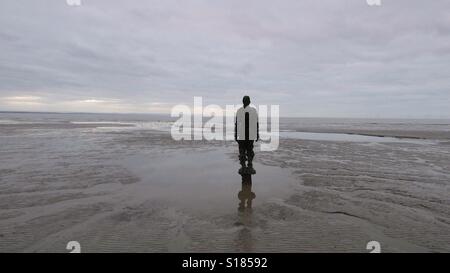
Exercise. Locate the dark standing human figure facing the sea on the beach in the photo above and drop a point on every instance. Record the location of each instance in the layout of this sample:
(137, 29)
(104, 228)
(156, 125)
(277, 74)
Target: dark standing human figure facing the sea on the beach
(246, 131)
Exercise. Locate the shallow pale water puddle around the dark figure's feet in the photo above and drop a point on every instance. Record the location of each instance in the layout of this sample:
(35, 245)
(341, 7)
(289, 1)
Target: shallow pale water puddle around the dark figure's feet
(207, 181)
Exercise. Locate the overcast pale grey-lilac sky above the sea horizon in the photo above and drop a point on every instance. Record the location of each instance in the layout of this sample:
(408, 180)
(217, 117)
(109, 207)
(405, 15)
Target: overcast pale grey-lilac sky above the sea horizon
(328, 58)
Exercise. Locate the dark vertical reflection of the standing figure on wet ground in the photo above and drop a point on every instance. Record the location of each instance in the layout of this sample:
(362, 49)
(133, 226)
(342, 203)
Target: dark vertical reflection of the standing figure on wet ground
(246, 196)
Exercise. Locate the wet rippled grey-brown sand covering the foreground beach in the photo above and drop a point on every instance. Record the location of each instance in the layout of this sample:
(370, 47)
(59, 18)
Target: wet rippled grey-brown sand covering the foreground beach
(117, 190)
